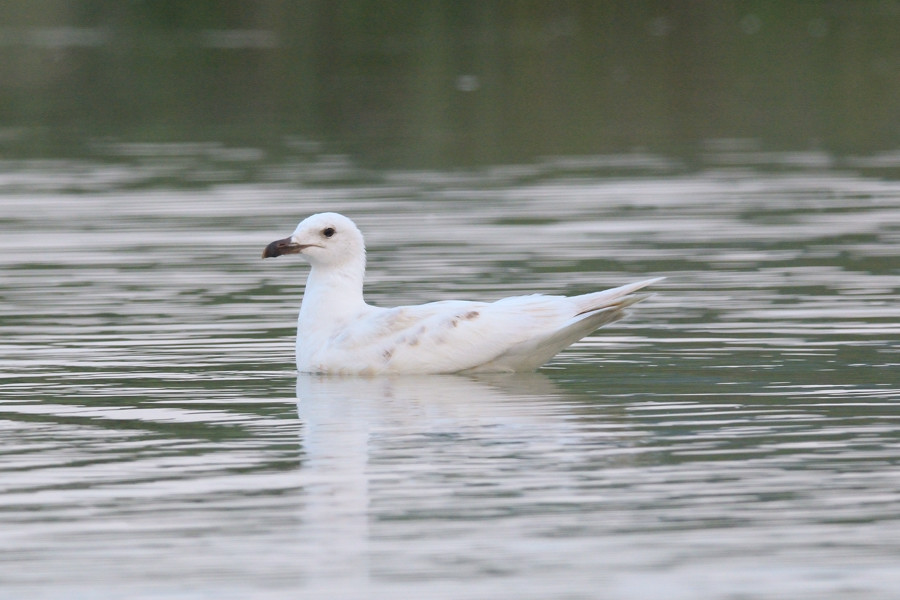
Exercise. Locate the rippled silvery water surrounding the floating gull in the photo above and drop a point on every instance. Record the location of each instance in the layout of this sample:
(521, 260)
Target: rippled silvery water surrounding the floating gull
(737, 437)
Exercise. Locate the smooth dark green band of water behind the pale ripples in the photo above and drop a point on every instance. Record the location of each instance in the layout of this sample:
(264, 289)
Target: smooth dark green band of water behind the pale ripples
(442, 84)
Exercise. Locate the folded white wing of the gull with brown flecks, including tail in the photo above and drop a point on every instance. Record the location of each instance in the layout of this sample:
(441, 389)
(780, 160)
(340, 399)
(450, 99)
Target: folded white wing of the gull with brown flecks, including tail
(513, 334)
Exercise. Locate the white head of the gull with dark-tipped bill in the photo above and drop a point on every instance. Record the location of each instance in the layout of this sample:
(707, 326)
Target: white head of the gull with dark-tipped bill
(323, 239)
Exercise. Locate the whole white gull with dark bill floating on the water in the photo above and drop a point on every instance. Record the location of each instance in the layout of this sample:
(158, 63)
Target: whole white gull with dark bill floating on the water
(339, 333)
